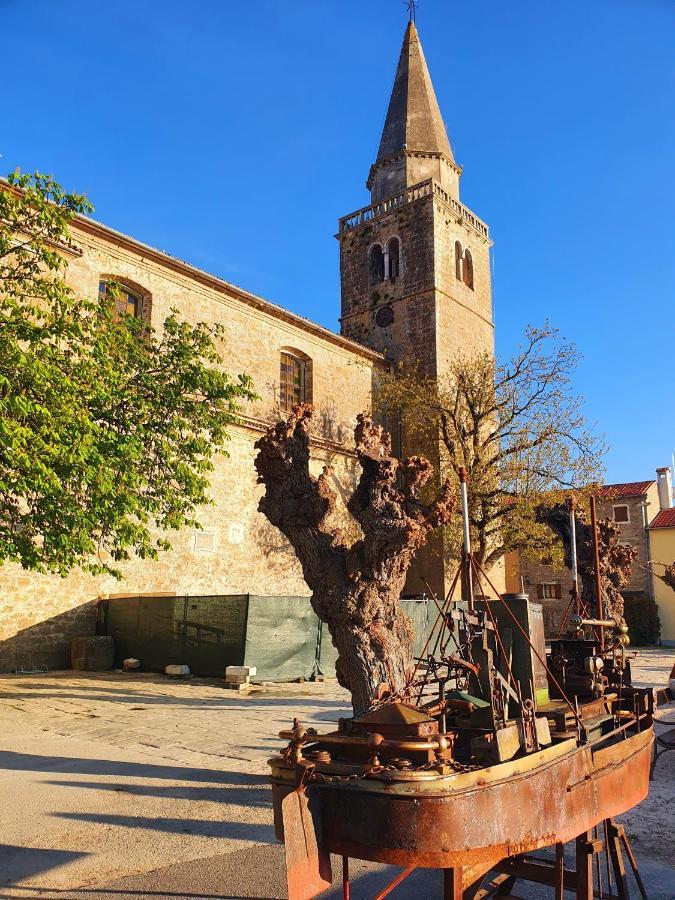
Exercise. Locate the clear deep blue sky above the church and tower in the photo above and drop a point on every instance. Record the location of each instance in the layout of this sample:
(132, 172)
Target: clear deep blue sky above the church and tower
(234, 135)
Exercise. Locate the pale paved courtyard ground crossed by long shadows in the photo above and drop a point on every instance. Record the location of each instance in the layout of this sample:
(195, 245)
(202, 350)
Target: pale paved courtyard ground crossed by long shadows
(137, 786)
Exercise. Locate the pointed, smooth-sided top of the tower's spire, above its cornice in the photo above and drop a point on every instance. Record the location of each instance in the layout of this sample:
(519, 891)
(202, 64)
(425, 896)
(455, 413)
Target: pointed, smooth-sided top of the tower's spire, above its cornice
(414, 120)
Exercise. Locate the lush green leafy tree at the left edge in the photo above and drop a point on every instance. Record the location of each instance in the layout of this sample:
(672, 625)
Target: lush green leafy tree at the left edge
(108, 428)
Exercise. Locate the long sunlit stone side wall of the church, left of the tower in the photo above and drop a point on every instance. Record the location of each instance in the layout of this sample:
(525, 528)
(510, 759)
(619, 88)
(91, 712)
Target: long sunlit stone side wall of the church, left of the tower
(238, 552)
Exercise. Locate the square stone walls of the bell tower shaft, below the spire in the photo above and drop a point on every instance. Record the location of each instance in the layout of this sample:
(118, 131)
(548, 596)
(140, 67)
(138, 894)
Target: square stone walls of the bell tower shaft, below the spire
(426, 316)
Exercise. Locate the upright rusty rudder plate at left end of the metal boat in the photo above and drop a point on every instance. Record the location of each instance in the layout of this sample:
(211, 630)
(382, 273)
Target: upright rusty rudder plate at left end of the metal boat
(308, 866)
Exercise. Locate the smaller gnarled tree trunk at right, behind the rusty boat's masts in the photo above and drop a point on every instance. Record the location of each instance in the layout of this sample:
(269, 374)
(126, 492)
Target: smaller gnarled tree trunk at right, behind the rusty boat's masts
(616, 558)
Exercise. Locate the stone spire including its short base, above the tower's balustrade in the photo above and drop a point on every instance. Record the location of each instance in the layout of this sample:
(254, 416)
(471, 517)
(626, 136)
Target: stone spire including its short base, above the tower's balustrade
(414, 127)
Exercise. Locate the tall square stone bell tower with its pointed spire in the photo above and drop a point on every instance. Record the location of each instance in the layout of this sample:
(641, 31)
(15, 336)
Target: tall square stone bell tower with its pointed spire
(415, 263)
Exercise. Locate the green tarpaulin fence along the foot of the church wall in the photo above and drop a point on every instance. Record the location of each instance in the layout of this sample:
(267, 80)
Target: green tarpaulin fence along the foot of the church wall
(281, 636)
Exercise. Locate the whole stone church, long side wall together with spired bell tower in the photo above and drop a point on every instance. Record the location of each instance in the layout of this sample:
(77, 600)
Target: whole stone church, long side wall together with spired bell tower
(415, 280)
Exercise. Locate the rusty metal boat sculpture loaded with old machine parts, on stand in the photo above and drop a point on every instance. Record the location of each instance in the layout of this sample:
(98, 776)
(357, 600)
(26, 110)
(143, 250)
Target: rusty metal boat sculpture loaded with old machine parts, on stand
(492, 751)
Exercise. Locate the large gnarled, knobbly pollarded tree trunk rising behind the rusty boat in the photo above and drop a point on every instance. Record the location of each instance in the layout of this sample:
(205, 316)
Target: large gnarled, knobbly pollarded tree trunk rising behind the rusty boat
(356, 585)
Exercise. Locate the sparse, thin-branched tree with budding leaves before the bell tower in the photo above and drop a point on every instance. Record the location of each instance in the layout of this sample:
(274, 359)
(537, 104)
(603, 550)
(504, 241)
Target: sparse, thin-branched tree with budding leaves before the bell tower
(519, 431)
